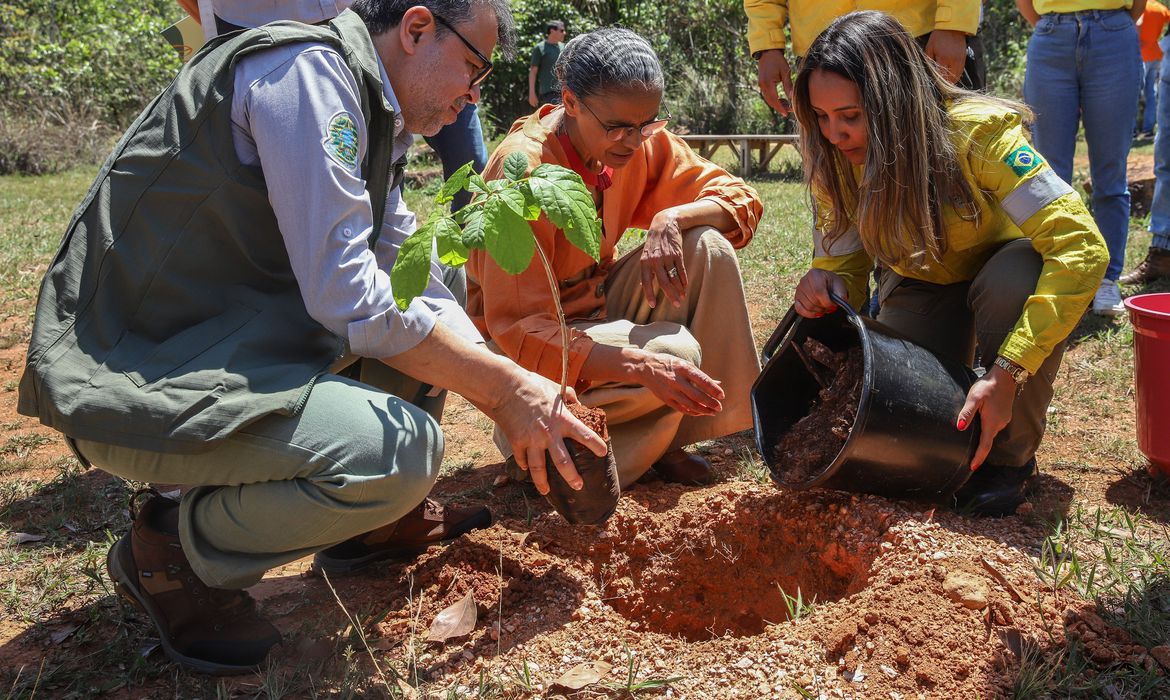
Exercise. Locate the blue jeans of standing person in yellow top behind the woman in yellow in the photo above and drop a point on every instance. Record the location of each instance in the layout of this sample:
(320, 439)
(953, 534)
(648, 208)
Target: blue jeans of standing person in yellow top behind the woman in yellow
(1086, 67)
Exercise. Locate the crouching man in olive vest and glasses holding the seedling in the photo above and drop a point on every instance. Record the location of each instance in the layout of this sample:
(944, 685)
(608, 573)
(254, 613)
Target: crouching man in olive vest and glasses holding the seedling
(231, 258)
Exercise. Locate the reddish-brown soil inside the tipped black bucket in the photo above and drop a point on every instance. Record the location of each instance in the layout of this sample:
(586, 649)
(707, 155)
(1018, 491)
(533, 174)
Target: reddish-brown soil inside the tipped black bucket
(814, 443)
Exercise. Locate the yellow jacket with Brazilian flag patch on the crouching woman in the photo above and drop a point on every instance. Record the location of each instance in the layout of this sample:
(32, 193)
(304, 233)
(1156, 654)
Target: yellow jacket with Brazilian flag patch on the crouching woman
(1020, 196)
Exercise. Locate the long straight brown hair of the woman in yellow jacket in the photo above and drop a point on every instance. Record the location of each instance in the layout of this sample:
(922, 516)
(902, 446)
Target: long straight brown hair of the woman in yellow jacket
(912, 171)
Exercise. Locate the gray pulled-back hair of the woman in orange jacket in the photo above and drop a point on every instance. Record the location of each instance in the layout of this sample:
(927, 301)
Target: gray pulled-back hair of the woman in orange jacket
(609, 60)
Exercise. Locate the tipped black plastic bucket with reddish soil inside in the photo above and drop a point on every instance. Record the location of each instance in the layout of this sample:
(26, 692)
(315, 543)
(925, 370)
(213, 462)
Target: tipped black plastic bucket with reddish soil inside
(892, 434)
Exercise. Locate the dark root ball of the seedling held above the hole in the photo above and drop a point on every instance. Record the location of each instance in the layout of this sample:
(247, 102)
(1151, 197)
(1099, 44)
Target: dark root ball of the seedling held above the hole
(597, 500)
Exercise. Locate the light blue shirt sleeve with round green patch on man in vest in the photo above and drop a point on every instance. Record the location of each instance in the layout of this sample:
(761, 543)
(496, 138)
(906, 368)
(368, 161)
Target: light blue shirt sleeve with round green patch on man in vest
(291, 107)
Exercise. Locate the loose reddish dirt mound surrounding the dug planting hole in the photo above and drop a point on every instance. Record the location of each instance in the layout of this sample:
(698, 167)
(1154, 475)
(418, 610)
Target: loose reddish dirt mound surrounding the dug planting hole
(690, 584)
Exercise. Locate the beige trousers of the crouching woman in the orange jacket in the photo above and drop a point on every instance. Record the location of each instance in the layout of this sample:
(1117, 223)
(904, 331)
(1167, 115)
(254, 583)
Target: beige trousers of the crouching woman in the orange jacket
(711, 330)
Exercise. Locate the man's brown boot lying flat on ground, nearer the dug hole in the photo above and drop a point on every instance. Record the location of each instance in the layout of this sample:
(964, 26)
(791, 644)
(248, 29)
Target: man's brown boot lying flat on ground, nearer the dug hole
(429, 524)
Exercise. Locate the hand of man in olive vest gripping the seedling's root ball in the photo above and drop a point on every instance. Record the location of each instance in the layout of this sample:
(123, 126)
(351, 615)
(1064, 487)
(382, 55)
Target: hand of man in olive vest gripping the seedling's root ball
(534, 421)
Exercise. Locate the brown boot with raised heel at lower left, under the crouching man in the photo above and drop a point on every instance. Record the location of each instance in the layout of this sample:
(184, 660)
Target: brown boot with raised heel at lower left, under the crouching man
(209, 630)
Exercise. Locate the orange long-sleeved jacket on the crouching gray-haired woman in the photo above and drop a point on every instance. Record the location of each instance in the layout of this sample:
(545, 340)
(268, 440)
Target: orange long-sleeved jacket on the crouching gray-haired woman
(518, 313)
